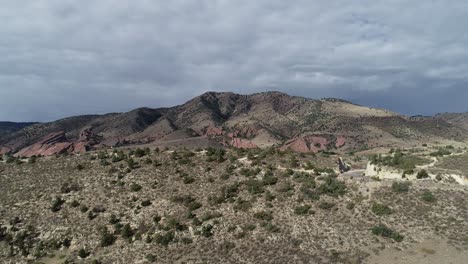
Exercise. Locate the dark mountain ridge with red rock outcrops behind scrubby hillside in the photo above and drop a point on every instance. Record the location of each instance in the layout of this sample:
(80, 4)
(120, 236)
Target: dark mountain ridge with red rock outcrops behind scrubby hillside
(241, 121)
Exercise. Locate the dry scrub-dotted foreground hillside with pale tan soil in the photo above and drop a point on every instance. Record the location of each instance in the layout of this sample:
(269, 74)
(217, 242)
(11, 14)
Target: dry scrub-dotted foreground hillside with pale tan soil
(230, 206)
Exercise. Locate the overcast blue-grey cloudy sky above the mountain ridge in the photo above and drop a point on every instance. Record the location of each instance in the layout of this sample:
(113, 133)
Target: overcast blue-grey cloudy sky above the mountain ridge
(66, 57)
